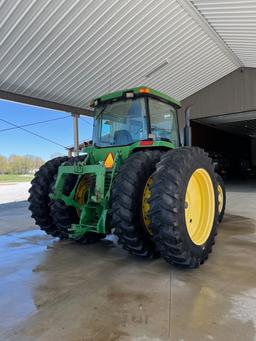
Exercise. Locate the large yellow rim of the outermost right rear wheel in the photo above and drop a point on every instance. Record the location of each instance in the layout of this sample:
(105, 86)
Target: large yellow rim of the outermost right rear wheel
(199, 206)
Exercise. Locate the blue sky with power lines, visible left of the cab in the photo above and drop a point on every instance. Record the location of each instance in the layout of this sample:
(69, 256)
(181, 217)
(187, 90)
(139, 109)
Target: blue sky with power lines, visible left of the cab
(20, 142)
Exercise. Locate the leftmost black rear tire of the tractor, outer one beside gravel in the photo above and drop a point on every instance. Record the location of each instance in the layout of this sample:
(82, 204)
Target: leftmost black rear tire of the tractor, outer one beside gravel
(39, 195)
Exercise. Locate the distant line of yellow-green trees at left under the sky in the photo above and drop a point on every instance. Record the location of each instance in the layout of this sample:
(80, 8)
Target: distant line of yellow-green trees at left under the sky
(17, 164)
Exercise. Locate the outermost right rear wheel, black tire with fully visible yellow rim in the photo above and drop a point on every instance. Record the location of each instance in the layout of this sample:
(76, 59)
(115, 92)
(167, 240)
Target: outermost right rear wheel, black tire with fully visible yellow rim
(184, 206)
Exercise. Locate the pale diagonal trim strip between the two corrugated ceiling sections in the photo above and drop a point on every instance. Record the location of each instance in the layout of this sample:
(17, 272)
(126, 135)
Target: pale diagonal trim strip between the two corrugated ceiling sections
(204, 24)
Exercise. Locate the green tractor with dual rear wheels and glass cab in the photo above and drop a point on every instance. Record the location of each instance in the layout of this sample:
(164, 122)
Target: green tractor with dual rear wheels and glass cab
(135, 180)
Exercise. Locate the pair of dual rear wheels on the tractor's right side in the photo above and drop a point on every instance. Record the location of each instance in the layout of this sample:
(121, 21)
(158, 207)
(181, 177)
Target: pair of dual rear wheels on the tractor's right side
(180, 219)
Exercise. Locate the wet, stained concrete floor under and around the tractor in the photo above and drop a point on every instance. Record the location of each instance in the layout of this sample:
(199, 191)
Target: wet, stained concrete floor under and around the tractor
(52, 290)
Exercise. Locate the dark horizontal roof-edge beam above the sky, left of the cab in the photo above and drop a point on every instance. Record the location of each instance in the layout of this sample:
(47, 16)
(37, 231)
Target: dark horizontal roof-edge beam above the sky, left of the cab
(10, 96)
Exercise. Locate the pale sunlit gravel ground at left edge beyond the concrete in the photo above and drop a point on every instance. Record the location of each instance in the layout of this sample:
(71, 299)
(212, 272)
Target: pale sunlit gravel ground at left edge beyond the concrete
(11, 192)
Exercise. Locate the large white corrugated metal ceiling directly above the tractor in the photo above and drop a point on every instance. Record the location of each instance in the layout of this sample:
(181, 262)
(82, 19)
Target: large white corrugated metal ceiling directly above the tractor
(70, 51)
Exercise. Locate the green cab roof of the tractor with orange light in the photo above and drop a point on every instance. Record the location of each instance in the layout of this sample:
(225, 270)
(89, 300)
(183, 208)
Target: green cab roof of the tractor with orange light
(138, 91)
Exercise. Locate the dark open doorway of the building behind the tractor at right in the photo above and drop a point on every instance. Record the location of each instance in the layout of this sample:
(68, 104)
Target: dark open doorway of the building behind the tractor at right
(230, 140)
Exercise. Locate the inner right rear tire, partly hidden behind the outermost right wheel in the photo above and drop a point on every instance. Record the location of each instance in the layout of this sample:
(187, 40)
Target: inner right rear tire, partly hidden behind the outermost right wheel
(127, 203)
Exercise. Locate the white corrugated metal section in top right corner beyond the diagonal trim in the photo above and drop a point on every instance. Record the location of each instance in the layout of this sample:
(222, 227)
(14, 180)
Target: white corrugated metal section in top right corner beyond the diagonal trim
(235, 22)
